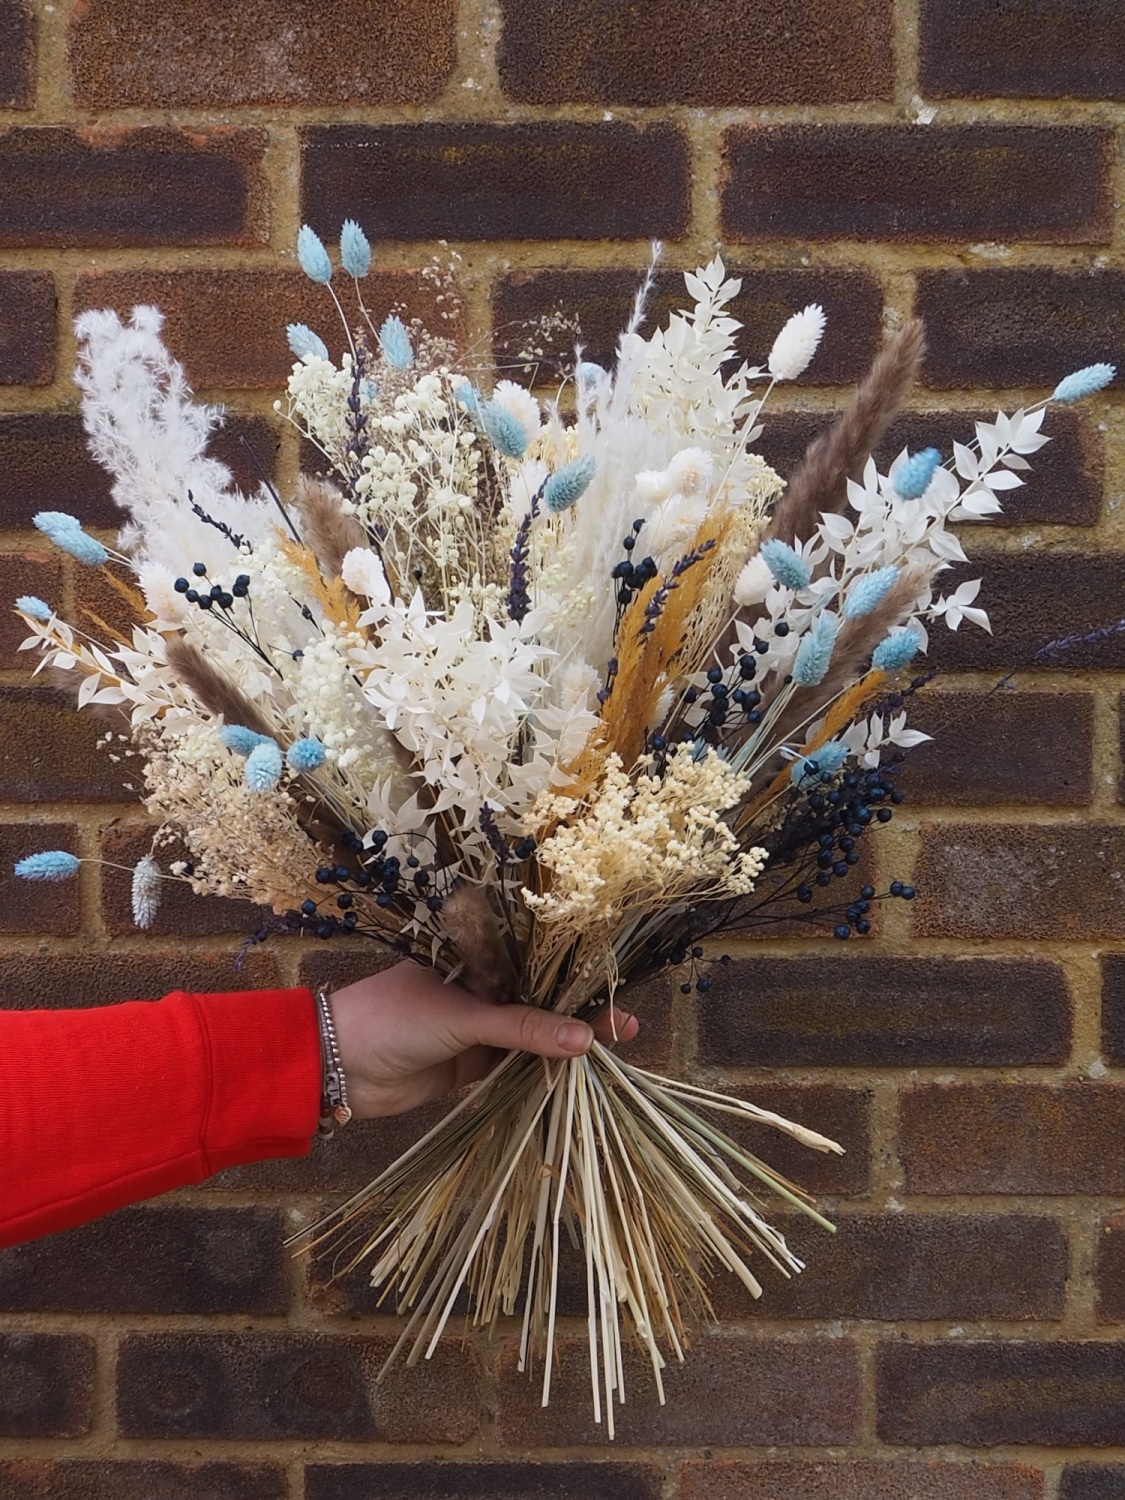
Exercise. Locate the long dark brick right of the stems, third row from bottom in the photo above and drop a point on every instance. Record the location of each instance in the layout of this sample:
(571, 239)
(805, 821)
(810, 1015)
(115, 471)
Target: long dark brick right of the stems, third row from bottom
(892, 1267)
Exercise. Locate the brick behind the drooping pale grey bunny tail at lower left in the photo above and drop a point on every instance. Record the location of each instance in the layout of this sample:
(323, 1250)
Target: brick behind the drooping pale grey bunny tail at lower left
(181, 913)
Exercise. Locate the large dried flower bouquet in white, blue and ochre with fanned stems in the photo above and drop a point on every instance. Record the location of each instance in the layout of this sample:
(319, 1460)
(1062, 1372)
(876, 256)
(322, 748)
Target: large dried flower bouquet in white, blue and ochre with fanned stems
(544, 695)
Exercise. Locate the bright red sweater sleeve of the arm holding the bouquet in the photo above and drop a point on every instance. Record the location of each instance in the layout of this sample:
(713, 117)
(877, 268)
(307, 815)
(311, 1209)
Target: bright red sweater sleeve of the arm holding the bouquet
(109, 1106)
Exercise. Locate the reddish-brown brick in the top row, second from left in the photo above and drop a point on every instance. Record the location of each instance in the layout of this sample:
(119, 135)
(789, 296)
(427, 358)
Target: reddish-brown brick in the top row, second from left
(199, 53)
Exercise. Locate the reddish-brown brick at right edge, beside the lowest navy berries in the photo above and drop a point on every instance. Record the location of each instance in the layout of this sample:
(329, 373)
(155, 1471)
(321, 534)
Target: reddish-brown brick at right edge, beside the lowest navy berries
(1058, 881)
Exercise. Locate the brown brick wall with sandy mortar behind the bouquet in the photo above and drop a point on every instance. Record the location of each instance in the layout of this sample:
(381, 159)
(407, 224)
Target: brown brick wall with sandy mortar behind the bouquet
(961, 1339)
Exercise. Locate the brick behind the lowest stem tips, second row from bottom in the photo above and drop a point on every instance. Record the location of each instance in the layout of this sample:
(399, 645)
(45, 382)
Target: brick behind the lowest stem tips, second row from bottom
(730, 1391)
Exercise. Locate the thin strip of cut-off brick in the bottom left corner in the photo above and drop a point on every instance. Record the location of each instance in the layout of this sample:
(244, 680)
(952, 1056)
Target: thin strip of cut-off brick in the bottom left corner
(139, 1480)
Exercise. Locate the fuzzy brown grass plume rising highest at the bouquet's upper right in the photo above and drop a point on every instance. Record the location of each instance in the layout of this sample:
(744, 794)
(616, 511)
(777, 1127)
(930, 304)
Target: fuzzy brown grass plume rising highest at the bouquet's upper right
(820, 482)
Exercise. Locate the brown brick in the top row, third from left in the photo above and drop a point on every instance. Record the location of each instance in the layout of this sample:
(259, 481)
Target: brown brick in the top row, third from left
(596, 52)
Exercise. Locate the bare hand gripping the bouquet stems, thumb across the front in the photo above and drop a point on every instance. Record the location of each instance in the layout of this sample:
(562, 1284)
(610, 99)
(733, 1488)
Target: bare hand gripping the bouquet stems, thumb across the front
(406, 1037)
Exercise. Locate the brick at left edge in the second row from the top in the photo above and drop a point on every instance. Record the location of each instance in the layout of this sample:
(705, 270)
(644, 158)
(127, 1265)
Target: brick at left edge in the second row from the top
(149, 187)
